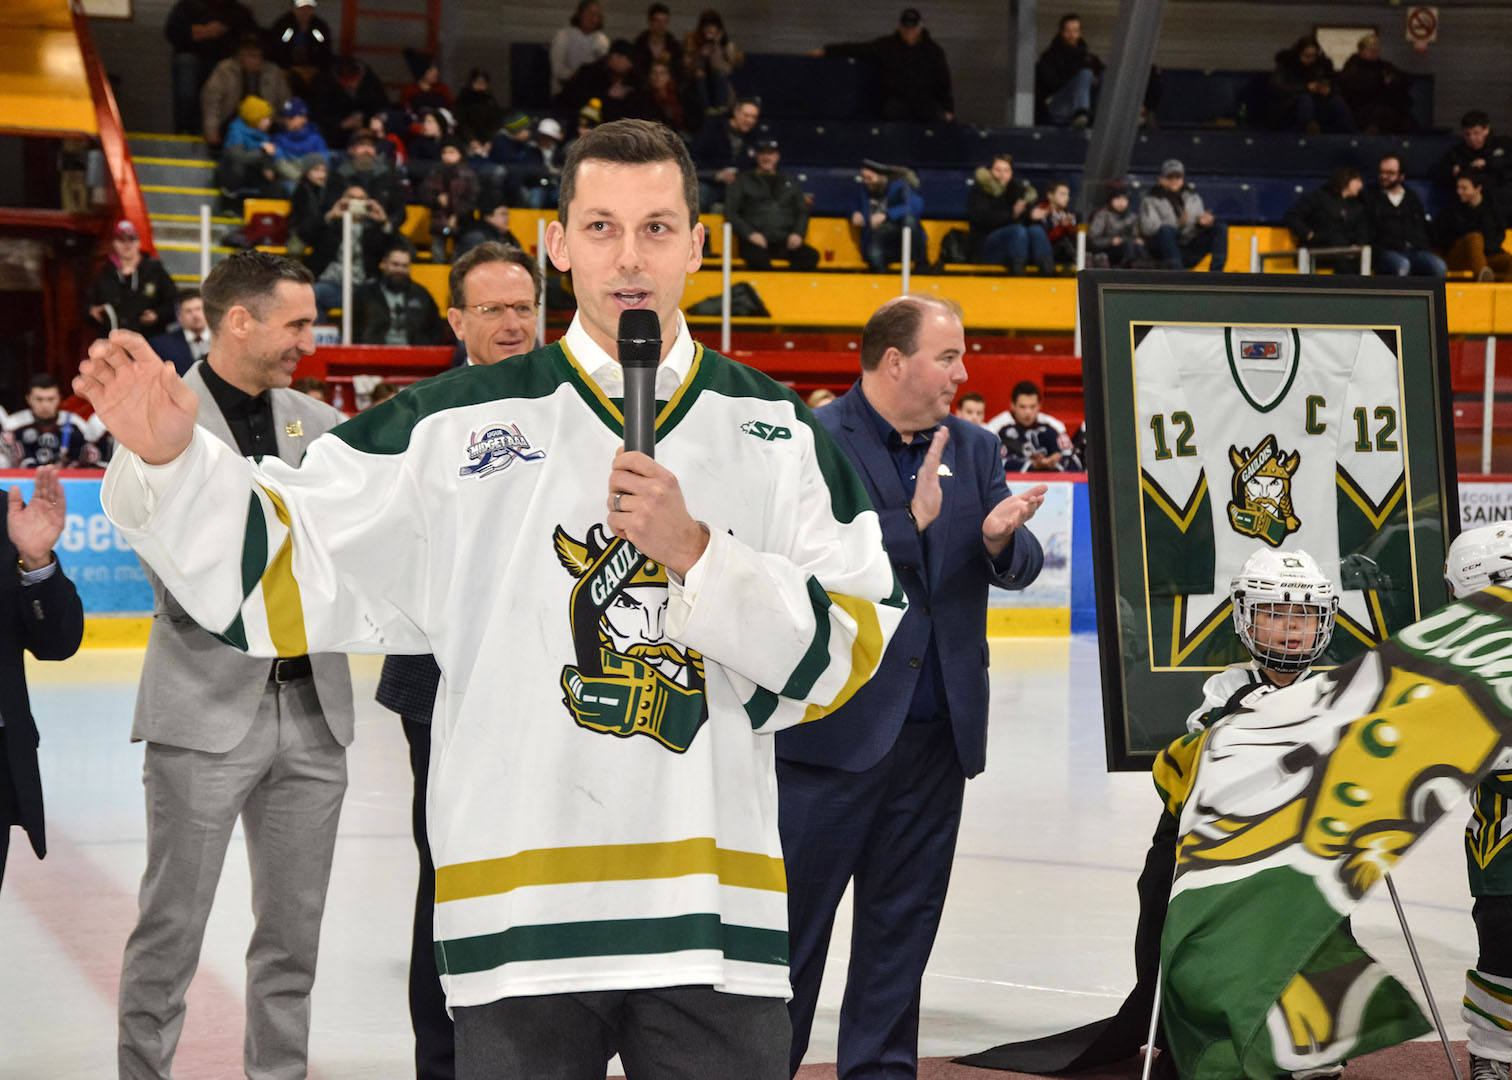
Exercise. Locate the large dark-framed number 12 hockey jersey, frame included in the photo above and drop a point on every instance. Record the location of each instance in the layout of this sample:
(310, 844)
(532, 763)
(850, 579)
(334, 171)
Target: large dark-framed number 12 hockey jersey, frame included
(1232, 414)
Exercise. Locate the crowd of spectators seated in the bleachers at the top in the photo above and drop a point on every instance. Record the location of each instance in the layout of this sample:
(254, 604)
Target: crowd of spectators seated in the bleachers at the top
(293, 119)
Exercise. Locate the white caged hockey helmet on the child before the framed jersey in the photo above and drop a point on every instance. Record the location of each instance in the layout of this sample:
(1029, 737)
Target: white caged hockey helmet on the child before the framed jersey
(1283, 583)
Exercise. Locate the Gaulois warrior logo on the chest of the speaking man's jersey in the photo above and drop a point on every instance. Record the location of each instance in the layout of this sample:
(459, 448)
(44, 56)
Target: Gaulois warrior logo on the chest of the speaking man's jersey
(630, 678)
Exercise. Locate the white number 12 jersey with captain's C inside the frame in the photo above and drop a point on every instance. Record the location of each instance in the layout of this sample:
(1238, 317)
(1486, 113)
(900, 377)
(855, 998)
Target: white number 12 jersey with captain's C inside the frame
(1286, 433)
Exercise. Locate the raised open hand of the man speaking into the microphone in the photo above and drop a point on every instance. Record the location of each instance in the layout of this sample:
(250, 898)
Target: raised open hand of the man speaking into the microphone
(140, 399)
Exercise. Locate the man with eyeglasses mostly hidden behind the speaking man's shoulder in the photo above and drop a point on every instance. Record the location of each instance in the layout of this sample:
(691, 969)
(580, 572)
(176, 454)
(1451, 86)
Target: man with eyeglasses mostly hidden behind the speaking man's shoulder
(494, 312)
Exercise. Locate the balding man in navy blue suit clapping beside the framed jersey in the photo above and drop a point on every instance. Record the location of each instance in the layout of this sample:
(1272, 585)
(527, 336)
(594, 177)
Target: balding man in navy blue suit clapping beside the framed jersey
(875, 792)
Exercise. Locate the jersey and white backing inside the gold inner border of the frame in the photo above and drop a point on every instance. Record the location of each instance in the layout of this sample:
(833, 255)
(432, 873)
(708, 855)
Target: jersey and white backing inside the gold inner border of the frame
(1275, 436)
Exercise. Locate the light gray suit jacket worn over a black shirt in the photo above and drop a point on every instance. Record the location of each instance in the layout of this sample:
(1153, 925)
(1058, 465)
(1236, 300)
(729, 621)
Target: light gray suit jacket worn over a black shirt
(197, 692)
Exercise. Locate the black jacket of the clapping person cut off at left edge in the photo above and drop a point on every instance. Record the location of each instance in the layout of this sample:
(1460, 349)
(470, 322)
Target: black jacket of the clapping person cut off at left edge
(49, 621)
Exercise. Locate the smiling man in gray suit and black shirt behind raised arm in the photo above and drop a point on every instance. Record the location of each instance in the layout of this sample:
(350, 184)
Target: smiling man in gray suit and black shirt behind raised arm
(231, 736)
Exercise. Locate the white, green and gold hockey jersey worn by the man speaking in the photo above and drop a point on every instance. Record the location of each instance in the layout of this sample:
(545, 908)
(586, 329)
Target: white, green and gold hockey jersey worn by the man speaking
(603, 804)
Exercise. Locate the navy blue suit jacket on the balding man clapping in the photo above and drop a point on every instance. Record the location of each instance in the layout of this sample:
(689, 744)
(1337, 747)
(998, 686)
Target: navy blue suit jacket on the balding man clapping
(947, 595)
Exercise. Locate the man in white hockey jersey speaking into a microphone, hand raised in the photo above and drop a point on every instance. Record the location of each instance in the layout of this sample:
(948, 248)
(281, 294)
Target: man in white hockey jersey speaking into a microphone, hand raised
(603, 805)
